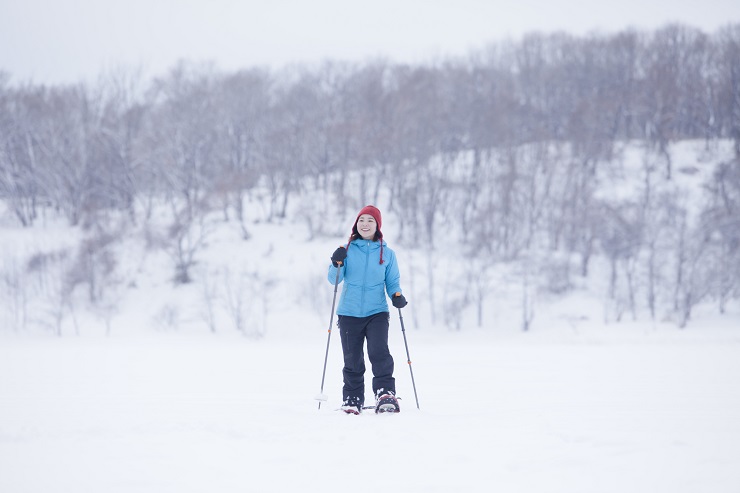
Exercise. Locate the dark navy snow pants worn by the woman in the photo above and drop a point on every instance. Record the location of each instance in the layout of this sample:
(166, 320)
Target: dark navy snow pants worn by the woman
(354, 331)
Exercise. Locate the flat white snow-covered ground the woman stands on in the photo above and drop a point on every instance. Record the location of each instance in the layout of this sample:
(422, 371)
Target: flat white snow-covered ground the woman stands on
(603, 411)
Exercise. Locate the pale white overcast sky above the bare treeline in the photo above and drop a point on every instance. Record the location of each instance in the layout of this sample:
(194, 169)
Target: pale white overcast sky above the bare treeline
(59, 41)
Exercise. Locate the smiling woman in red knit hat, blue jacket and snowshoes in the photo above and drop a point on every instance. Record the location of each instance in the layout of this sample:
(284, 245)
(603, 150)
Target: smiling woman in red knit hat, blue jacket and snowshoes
(369, 271)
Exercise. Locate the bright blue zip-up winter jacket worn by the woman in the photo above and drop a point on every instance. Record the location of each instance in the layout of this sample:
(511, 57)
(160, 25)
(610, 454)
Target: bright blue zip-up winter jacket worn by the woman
(366, 280)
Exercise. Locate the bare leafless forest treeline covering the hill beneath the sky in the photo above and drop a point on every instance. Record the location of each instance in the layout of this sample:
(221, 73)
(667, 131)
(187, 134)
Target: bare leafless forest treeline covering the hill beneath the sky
(509, 145)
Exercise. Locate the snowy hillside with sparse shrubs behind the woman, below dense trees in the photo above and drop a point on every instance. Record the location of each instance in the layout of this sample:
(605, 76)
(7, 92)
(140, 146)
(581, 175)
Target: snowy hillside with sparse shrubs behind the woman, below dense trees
(119, 276)
